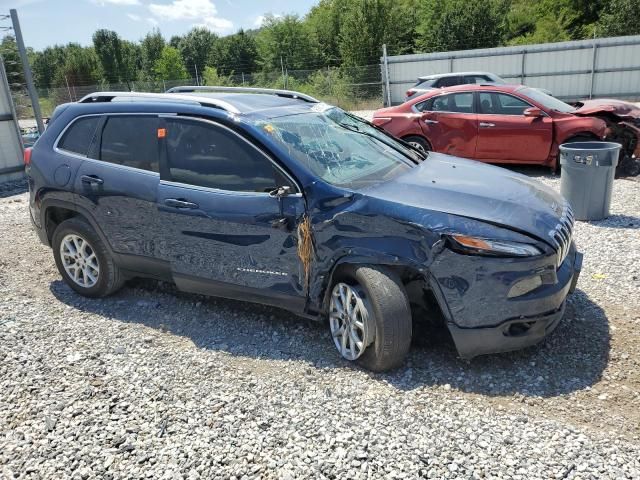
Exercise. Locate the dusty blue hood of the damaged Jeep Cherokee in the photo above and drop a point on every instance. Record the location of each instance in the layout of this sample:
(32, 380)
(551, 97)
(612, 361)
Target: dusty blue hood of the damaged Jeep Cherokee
(475, 190)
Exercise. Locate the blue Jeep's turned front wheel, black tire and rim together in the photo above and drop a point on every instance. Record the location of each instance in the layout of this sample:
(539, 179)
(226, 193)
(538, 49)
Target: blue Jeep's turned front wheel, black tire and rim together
(370, 318)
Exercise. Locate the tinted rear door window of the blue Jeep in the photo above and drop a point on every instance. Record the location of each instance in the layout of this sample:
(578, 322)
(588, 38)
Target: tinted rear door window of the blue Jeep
(132, 141)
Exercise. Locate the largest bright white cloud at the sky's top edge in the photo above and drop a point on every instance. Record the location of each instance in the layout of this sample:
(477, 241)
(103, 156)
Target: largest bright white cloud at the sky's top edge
(202, 11)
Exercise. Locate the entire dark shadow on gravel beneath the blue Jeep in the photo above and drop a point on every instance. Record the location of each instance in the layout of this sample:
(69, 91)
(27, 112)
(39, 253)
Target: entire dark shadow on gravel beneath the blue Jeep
(571, 359)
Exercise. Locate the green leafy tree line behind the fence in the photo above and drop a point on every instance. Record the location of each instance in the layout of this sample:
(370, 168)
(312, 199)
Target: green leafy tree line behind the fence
(335, 33)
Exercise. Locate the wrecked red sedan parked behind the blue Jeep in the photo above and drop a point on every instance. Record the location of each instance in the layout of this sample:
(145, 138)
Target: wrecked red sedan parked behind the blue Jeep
(496, 124)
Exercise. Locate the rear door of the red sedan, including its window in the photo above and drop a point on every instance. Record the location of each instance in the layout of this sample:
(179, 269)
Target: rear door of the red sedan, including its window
(450, 123)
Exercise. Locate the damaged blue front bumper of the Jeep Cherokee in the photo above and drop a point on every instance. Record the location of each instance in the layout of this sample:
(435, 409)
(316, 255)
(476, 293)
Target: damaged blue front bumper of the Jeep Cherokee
(482, 319)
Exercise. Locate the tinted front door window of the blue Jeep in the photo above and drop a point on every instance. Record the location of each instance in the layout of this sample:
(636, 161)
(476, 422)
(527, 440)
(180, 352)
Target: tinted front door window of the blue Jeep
(207, 155)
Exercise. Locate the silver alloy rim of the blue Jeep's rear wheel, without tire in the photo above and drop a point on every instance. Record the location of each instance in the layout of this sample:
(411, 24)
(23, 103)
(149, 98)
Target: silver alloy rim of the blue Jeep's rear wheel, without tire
(79, 260)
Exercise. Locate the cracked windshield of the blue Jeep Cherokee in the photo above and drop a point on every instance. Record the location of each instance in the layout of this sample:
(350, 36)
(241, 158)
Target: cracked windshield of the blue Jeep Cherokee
(340, 148)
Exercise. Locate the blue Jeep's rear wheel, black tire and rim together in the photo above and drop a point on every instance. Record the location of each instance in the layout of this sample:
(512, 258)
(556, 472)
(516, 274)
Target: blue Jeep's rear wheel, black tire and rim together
(83, 259)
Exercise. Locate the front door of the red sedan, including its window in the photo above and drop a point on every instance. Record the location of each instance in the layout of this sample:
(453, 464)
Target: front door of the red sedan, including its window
(505, 134)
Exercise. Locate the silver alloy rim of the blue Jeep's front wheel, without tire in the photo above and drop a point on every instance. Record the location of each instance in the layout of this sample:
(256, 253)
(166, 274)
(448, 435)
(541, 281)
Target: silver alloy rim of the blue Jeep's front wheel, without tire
(349, 321)
